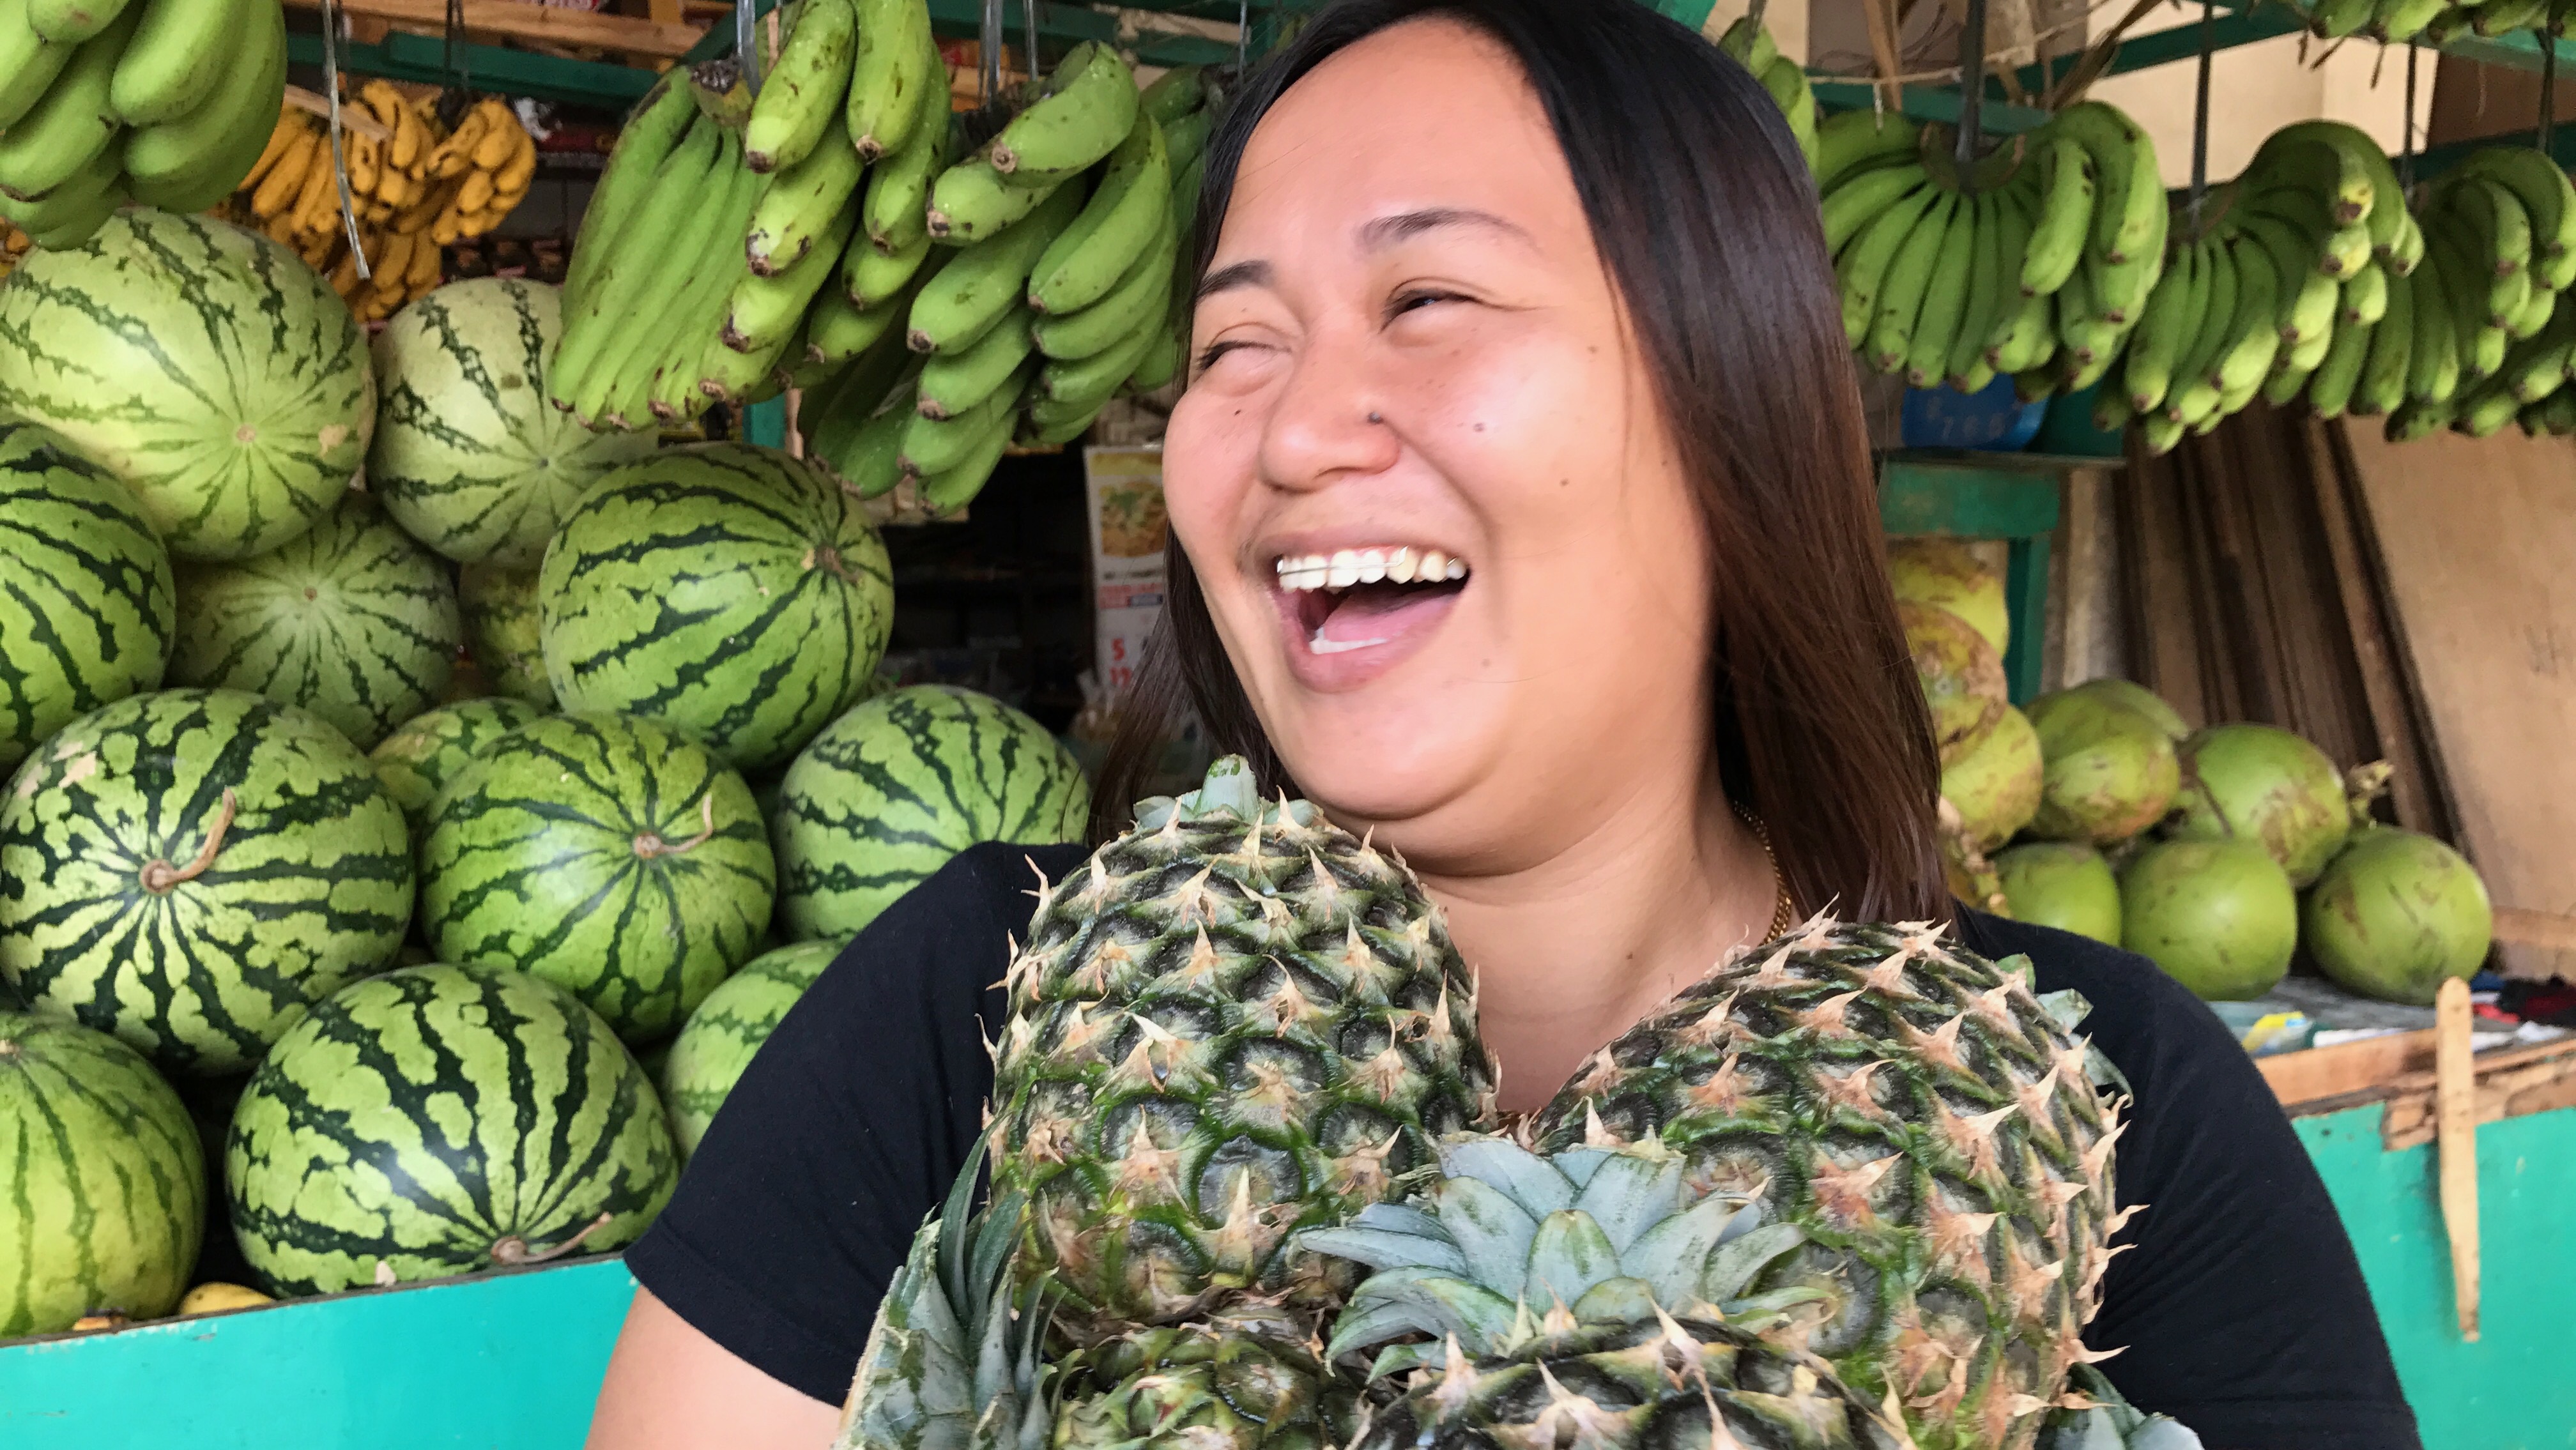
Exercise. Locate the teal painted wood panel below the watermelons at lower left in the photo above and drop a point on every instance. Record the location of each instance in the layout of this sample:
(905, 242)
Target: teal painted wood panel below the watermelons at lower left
(506, 1361)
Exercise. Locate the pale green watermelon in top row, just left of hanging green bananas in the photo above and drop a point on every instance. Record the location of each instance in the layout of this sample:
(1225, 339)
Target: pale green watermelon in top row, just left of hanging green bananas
(470, 457)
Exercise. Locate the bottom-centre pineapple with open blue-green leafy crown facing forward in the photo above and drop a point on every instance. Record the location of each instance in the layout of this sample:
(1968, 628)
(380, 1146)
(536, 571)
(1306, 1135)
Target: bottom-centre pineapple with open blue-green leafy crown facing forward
(1575, 1302)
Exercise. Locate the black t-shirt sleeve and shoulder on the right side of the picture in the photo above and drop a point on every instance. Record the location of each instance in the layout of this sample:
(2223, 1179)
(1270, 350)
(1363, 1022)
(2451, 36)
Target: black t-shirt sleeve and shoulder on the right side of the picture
(2237, 1307)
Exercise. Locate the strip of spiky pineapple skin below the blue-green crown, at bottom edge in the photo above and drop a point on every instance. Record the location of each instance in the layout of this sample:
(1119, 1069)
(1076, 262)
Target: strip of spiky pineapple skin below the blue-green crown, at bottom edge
(1686, 1384)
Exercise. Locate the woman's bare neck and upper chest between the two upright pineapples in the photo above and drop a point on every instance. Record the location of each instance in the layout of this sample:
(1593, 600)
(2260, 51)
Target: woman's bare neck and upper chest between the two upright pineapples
(1575, 949)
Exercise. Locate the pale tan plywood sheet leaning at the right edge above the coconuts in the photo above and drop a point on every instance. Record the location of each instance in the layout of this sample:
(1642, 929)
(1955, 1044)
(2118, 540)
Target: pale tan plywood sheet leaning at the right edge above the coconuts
(2474, 537)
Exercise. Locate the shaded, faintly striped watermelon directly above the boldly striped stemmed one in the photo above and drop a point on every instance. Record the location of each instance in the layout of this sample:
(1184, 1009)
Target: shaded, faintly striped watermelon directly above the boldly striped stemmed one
(352, 619)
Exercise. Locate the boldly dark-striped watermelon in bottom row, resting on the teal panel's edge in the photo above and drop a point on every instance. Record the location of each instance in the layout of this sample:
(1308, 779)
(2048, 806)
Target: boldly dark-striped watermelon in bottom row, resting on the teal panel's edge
(437, 1122)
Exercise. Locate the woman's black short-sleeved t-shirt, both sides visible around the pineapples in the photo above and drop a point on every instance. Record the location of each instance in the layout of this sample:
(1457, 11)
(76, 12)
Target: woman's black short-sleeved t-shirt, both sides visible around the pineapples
(2242, 1307)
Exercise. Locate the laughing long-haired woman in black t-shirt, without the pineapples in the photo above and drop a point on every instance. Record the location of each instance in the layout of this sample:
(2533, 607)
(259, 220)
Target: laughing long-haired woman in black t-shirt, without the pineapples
(1521, 305)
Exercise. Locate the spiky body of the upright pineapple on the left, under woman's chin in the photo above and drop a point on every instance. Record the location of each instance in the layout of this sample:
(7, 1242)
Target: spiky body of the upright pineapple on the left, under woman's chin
(1222, 1034)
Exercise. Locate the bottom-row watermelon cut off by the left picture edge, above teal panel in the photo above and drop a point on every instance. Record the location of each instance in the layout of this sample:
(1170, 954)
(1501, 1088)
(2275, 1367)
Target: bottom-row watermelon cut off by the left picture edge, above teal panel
(102, 1181)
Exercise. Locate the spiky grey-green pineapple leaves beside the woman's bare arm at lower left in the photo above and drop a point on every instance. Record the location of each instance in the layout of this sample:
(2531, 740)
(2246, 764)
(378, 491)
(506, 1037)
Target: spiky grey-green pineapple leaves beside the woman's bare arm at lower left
(954, 1359)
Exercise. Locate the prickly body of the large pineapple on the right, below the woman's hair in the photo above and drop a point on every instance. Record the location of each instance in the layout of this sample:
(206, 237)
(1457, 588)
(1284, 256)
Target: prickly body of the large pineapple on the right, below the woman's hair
(1926, 1122)
